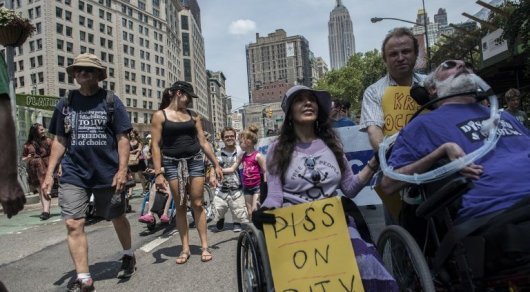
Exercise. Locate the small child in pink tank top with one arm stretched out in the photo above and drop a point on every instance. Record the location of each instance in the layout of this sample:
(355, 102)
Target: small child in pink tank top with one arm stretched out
(253, 168)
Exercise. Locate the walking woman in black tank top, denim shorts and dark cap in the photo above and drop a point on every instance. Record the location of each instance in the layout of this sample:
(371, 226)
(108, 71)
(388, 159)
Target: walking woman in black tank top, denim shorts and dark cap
(177, 145)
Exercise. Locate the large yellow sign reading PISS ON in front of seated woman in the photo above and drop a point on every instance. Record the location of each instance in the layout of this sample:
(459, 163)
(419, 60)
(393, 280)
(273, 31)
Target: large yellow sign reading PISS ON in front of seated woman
(309, 248)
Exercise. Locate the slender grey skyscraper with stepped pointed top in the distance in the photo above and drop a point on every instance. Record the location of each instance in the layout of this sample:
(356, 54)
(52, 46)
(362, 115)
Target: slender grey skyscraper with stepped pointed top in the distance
(341, 38)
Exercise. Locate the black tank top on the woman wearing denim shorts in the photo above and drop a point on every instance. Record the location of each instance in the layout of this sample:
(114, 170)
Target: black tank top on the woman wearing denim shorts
(179, 139)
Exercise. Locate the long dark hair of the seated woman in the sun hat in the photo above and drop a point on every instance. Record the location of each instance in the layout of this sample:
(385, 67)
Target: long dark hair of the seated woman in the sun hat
(281, 157)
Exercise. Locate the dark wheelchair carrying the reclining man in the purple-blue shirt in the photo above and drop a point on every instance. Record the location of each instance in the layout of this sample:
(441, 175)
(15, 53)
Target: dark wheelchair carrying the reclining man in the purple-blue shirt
(458, 256)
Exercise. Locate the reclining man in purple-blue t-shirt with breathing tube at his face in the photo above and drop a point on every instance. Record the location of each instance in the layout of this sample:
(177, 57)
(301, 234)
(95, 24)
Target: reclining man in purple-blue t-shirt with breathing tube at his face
(495, 206)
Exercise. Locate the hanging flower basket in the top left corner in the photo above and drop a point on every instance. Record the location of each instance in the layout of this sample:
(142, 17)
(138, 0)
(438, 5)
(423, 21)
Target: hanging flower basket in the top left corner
(14, 29)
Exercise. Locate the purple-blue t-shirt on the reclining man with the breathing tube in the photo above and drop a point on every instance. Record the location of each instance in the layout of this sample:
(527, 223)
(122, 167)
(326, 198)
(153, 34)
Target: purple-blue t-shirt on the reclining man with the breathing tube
(505, 178)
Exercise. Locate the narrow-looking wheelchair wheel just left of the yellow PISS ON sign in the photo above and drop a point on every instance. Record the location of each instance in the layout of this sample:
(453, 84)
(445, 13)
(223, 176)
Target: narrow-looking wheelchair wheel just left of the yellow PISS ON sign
(250, 276)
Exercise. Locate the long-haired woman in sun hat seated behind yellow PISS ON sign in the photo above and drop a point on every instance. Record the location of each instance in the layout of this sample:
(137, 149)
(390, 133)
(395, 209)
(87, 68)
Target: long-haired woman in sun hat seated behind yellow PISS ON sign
(307, 163)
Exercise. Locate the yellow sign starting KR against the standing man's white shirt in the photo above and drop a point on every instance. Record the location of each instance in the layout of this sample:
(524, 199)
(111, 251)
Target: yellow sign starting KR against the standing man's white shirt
(398, 108)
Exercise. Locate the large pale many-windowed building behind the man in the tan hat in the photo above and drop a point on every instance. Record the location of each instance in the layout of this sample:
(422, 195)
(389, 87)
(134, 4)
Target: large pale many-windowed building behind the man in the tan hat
(140, 42)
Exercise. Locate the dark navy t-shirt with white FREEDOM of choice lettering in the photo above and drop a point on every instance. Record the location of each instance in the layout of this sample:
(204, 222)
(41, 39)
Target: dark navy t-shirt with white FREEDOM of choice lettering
(91, 158)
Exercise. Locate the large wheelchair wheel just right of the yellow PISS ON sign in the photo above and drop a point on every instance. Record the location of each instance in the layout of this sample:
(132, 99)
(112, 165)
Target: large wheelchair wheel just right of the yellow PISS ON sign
(404, 260)
